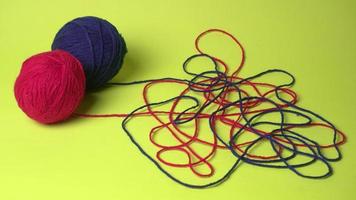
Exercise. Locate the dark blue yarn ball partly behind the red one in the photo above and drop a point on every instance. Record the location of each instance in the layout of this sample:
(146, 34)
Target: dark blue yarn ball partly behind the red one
(97, 44)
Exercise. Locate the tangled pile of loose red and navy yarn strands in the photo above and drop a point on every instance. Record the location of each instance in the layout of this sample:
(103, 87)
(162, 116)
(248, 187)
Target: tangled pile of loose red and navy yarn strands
(210, 95)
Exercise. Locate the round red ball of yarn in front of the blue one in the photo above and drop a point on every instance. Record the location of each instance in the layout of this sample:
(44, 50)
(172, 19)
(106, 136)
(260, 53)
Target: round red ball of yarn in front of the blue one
(50, 86)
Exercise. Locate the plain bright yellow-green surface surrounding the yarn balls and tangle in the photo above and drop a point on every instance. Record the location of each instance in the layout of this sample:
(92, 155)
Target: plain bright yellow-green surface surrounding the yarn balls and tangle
(93, 158)
